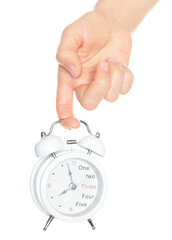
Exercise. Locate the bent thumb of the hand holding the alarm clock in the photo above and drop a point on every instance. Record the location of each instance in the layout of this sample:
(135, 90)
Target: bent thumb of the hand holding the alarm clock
(67, 53)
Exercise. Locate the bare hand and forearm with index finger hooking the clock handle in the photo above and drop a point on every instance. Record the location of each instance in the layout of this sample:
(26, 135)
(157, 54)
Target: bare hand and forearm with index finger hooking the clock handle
(93, 56)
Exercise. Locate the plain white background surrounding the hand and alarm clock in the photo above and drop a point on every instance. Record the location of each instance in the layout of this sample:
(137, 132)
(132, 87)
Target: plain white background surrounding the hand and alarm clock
(137, 129)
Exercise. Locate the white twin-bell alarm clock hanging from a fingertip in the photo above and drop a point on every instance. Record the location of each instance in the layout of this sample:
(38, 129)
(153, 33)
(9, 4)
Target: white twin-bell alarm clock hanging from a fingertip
(68, 183)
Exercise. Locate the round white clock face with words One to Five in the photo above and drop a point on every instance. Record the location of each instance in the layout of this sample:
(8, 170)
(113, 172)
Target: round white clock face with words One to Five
(74, 187)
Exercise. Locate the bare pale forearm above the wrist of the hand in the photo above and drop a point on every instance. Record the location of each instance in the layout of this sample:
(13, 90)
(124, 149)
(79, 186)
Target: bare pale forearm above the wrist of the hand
(128, 12)
